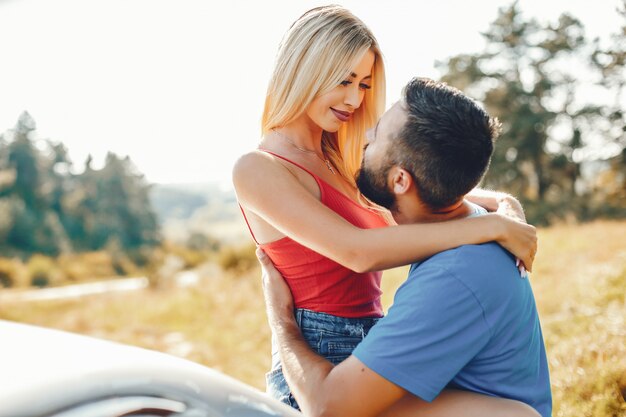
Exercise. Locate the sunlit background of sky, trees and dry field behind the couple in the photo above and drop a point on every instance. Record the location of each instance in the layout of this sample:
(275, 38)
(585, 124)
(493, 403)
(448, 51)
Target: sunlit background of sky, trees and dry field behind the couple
(120, 121)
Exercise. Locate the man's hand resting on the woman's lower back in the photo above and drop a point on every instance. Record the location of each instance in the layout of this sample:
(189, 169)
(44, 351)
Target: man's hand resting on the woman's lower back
(278, 298)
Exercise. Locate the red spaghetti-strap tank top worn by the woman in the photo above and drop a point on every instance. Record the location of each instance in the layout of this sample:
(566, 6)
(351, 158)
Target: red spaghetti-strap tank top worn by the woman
(318, 283)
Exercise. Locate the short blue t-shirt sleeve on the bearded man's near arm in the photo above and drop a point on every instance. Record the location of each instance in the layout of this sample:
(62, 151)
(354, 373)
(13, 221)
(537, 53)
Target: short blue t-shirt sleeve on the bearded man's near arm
(434, 328)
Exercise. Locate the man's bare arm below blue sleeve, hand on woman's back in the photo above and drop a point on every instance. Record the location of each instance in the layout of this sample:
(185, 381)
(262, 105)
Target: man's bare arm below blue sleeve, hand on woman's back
(349, 389)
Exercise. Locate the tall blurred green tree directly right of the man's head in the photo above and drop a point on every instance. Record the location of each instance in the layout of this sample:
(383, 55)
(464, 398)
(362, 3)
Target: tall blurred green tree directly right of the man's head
(524, 77)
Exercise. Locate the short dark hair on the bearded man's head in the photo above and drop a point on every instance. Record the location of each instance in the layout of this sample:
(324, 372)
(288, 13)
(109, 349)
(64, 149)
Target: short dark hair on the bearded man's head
(446, 143)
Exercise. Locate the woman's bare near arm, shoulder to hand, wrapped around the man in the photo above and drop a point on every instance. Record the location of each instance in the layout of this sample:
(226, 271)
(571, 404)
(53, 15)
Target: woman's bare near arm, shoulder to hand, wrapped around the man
(272, 192)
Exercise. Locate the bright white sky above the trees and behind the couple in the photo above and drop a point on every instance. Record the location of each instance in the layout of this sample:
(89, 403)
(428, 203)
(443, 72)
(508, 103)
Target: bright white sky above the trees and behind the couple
(178, 85)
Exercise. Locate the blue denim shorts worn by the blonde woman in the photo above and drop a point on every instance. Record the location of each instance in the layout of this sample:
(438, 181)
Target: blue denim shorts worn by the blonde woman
(330, 336)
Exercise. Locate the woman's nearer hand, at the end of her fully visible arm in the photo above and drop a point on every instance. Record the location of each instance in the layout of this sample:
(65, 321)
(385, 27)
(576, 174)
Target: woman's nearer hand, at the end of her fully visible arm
(519, 238)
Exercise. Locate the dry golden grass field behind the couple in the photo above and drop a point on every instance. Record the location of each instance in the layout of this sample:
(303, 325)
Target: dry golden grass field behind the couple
(579, 282)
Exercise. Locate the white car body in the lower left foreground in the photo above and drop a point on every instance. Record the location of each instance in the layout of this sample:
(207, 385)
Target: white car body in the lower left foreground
(50, 373)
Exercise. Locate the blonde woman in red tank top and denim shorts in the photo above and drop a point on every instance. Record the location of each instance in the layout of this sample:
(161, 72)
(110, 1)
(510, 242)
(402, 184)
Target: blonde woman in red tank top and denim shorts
(327, 89)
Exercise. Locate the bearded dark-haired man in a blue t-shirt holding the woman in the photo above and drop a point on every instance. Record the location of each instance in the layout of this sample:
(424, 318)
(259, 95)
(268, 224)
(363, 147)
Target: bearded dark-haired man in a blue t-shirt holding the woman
(464, 319)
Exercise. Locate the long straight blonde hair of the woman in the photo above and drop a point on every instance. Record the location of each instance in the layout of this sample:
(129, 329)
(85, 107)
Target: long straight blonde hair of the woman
(316, 54)
